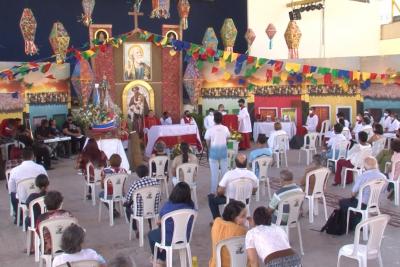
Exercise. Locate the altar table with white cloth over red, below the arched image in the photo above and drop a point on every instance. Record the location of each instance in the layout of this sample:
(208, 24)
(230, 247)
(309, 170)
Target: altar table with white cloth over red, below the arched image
(172, 135)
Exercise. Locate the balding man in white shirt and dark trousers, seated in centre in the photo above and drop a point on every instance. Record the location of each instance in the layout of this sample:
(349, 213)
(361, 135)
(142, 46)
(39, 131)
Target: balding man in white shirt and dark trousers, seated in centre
(225, 187)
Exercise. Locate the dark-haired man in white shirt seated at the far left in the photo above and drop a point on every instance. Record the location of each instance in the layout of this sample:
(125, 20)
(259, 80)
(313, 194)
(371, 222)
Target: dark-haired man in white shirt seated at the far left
(27, 169)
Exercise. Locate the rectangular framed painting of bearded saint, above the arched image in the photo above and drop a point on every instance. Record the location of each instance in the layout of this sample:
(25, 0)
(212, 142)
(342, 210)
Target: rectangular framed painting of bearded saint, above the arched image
(137, 61)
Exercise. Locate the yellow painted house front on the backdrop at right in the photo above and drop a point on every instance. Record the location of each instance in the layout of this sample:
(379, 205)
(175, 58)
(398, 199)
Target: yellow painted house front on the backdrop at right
(335, 101)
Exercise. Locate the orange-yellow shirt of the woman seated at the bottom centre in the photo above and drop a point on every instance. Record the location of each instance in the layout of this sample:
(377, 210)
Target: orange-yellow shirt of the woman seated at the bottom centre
(222, 230)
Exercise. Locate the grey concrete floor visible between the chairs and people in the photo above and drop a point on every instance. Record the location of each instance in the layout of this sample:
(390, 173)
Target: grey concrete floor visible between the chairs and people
(320, 249)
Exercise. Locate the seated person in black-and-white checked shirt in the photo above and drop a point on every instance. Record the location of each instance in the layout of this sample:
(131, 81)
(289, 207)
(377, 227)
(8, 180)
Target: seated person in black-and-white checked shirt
(143, 181)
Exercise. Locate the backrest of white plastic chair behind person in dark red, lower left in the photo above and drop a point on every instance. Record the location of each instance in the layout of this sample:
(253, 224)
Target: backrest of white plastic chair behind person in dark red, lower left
(56, 228)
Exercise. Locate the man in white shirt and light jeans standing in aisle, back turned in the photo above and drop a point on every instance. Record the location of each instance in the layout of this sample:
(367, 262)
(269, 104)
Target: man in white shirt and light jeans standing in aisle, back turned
(216, 138)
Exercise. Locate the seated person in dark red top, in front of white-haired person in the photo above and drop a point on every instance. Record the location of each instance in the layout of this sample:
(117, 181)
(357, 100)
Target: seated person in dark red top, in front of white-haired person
(53, 201)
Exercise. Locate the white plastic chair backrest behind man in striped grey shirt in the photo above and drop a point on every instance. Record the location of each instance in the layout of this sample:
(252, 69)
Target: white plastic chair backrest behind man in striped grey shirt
(294, 203)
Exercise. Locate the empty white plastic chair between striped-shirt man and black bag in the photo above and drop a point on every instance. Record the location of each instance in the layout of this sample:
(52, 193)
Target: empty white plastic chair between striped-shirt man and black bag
(321, 179)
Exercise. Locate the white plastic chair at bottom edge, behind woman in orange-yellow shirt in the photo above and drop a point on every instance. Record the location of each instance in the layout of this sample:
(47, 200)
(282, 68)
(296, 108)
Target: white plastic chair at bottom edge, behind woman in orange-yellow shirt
(237, 251)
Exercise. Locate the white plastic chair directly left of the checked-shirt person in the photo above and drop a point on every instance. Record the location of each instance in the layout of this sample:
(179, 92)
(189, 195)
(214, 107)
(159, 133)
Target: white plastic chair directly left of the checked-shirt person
(117, 181)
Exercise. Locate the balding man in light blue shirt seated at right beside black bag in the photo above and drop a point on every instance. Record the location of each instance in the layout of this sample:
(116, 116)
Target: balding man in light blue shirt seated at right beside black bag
(372, 173)
